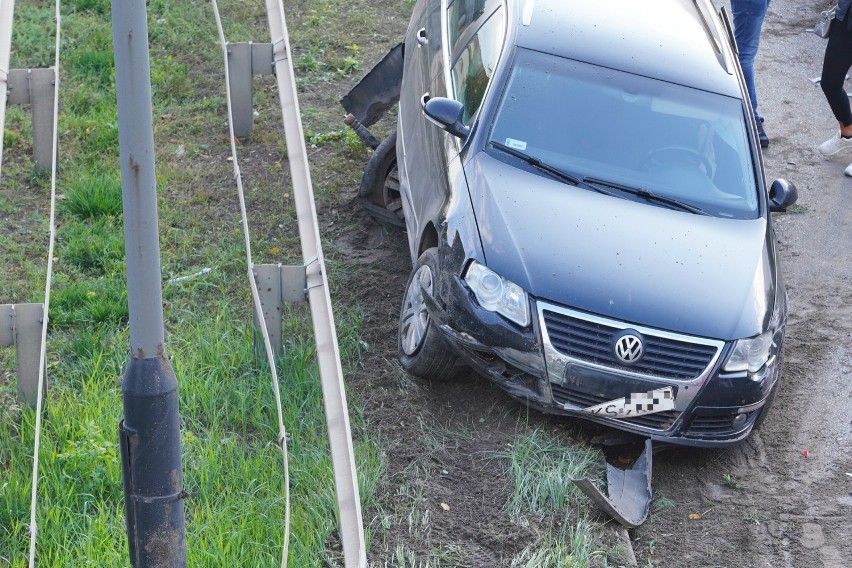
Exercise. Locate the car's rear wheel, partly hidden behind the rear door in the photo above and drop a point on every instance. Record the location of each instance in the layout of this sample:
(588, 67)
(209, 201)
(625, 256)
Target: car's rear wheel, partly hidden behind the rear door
(379, 190)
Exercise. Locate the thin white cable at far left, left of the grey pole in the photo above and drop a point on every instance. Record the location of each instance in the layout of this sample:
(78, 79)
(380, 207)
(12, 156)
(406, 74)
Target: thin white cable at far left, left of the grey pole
(49, 279)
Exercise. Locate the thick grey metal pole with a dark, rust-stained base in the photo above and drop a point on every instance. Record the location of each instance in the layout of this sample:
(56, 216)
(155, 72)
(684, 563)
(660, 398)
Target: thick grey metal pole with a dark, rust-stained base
(150, 431)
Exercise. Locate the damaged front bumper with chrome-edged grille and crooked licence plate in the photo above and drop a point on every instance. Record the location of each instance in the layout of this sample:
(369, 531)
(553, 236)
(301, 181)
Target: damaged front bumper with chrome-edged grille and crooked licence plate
(563, 364)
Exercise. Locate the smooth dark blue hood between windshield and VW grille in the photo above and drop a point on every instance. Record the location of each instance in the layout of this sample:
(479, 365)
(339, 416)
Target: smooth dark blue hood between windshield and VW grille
(629, 261)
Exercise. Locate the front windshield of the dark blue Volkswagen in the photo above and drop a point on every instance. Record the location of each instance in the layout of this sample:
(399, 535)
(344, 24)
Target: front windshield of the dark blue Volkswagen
(677, 142)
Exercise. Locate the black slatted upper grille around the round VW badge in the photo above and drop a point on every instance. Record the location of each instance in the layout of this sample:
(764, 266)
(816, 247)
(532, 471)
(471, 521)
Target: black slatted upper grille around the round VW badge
(591, 341)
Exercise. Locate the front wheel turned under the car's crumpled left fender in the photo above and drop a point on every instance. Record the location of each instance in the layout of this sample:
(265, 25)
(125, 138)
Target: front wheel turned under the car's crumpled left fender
(423, 351)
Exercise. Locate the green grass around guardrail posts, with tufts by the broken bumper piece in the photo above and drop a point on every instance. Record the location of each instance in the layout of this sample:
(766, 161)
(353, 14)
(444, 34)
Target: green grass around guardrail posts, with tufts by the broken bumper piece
(231, 459)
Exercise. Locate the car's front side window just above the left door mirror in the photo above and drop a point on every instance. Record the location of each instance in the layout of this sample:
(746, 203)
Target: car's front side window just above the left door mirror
(474, 68)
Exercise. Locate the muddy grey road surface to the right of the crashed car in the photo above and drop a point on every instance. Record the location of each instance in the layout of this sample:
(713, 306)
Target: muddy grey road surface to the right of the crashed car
(783, 499)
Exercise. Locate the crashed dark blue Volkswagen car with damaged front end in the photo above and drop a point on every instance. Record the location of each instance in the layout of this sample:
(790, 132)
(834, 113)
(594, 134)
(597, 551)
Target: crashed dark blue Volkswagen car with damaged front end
(584, 199)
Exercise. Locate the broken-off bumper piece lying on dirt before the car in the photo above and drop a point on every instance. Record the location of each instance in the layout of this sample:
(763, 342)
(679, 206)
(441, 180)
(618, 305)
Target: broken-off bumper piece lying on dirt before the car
(629, 491)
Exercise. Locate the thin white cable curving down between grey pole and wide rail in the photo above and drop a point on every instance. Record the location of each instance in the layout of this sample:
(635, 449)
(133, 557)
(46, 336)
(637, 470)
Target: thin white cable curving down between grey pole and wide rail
(282, 432)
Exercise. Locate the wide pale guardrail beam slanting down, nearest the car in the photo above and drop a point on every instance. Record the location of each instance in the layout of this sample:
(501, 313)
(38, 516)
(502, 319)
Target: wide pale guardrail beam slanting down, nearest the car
(328, 355)
